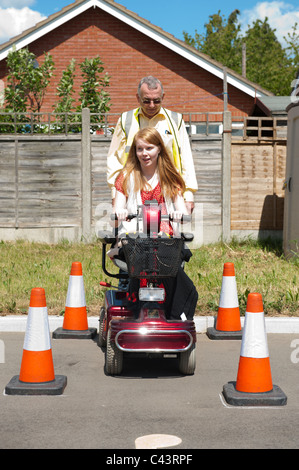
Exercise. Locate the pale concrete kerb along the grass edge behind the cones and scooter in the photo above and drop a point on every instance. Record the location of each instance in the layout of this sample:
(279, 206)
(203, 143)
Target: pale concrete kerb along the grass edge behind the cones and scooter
(17, 323)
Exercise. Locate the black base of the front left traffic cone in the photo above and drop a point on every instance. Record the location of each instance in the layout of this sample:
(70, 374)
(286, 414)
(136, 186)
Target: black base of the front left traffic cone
(54, 387)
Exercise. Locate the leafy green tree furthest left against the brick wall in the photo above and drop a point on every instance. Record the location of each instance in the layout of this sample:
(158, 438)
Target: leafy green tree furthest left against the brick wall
(27, 80)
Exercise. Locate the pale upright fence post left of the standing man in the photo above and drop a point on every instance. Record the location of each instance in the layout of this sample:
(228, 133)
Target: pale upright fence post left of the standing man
(86, 175)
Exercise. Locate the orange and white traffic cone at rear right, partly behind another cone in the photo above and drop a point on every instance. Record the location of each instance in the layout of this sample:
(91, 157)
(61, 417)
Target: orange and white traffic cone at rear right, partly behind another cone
(228, 323)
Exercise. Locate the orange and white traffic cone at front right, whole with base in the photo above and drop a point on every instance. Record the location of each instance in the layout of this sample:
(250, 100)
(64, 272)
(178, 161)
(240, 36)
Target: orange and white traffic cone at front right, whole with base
(254, 381)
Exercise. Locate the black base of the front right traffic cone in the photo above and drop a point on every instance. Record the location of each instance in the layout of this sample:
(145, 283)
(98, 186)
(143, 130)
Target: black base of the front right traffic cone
(274, 397)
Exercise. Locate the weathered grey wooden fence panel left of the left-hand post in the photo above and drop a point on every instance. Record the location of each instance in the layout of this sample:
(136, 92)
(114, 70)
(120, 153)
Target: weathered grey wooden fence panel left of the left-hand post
(45, 184)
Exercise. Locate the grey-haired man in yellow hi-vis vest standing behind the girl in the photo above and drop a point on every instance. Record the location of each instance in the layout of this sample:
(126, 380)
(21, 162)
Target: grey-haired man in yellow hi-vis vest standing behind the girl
(171, 126)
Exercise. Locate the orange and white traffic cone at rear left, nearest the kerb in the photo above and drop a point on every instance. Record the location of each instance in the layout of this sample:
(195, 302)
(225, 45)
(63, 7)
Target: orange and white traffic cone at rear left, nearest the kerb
(75, 323)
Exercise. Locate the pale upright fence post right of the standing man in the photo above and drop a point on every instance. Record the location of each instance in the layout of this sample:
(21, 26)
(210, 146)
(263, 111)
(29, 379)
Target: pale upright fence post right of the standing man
(226, 176)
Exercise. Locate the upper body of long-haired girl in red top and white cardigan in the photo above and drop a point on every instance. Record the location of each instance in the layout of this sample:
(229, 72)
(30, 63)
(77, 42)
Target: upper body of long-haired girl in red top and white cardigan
(149, 174)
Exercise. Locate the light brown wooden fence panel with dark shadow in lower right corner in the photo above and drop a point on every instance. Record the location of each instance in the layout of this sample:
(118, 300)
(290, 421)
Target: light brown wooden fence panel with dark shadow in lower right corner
(258, 172)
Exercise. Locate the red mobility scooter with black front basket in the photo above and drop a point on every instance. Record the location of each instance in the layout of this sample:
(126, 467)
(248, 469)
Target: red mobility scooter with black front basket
(139, 325)
